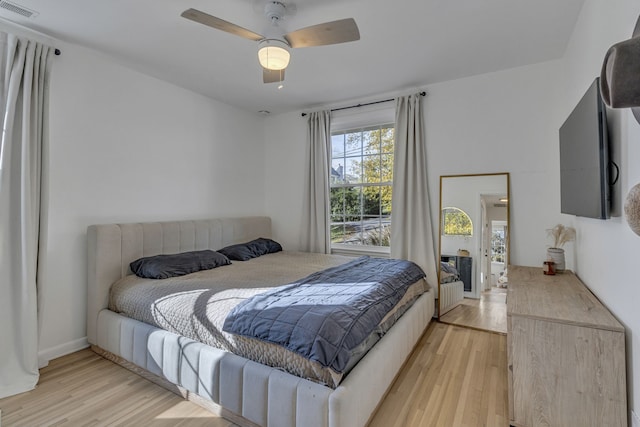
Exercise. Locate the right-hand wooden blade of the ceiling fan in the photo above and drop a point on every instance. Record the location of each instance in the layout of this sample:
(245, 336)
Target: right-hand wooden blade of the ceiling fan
(344, 30)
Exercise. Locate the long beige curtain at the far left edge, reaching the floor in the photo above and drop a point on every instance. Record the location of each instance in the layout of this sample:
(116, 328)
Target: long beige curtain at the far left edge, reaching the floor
(24, 68)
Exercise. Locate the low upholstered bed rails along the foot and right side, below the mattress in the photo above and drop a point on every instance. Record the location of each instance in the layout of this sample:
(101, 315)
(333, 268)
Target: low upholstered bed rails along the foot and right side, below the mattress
(260, 394)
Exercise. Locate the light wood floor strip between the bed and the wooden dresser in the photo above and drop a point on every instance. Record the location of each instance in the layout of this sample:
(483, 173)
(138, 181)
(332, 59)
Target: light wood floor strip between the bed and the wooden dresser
(456, 377)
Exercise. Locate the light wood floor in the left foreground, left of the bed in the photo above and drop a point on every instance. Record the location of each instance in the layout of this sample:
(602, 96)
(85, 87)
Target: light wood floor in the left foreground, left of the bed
(84, 389)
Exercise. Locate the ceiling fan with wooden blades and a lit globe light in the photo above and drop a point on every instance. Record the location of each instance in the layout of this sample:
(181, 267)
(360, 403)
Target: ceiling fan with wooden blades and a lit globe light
(273, 48)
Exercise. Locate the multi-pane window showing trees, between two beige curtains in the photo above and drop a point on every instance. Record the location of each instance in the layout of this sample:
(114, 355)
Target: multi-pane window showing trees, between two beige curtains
(360, 178)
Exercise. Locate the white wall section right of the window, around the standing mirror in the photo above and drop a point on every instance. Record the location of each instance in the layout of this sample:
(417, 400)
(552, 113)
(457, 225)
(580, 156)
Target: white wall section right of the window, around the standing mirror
(502, 122)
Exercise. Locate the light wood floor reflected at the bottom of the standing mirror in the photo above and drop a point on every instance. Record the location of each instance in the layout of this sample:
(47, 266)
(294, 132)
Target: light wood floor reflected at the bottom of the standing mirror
(489, 313)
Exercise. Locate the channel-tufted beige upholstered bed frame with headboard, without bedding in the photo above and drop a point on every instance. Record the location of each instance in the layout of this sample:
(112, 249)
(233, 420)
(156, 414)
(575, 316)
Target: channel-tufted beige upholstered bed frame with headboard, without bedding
(242, 390)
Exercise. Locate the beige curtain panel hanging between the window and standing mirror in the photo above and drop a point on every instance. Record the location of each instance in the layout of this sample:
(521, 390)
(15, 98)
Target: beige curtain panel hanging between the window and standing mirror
(411, 231)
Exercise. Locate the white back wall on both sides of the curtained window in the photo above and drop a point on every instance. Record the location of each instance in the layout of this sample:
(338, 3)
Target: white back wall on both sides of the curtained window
(498, 122)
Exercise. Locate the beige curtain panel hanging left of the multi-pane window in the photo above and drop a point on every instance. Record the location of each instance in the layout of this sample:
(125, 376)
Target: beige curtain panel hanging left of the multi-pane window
(315, 235)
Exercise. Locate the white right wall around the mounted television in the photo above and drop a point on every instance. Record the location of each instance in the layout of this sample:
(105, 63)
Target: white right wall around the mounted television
(607, 251)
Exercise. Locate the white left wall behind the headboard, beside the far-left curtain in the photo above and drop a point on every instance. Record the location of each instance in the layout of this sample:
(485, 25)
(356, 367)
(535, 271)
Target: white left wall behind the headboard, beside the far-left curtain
(127, 147)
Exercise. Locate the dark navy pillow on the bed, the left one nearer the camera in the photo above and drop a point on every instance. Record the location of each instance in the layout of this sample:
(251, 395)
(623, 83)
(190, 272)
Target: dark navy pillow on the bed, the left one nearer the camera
(165, 266)
